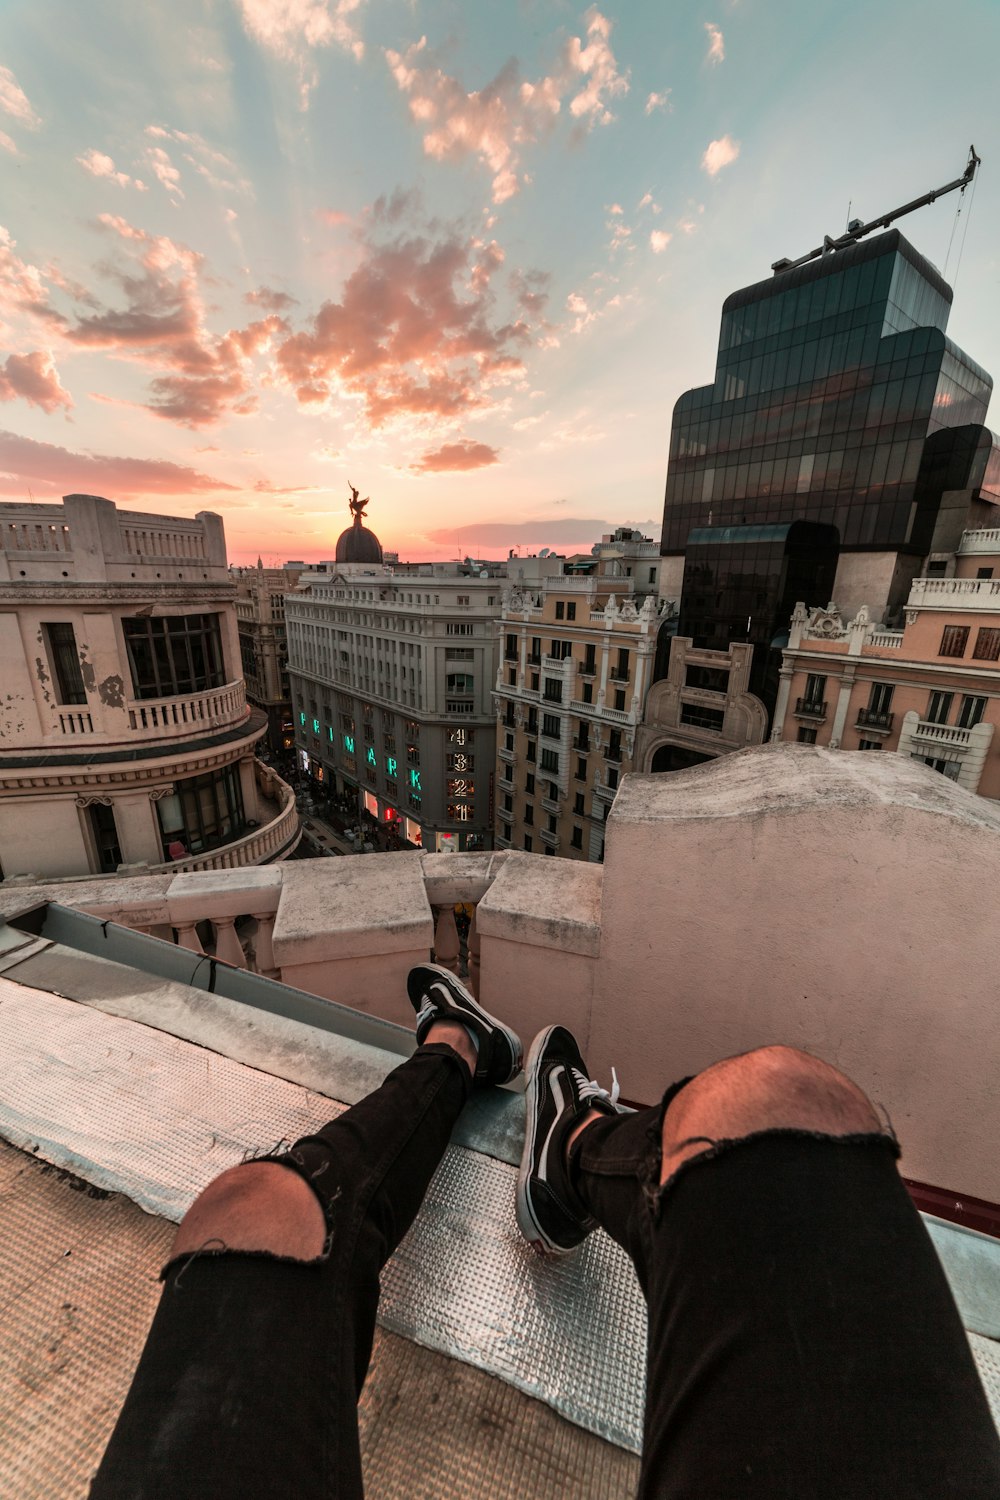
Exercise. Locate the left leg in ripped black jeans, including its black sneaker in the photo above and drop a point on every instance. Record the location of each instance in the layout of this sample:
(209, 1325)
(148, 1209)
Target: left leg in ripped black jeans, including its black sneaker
(253, 1369)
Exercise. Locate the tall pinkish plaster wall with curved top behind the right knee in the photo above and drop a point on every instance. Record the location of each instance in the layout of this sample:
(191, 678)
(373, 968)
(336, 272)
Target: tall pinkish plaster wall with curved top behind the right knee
(828, 901)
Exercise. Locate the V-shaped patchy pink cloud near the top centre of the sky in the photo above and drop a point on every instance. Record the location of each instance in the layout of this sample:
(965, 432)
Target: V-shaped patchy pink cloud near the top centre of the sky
(499, 121)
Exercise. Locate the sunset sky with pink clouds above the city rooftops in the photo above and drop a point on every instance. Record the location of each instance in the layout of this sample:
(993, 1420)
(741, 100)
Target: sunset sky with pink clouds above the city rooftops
(463, 256)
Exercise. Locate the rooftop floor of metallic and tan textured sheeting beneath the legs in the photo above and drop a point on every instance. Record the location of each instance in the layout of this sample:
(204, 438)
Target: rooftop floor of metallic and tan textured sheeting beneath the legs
(128, 1085)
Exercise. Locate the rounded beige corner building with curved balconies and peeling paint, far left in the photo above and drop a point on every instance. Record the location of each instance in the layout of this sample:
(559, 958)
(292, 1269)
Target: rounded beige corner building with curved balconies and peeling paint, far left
(125, 733)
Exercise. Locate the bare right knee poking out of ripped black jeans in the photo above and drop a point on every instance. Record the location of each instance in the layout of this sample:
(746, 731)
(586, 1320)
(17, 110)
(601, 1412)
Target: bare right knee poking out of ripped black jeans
(771, 1088)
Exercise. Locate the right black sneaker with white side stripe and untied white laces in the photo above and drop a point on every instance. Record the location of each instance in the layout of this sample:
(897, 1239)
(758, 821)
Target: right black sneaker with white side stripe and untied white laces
(549, 1213)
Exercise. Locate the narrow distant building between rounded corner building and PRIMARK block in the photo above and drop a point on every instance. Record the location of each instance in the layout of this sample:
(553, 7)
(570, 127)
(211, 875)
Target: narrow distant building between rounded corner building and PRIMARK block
(260, 608)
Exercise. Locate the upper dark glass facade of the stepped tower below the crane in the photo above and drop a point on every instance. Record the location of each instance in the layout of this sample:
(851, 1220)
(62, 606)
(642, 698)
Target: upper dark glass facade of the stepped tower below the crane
(830, 380)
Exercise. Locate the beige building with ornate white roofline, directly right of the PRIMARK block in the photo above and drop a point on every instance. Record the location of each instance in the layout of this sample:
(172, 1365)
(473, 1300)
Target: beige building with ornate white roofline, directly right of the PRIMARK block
(578, 641)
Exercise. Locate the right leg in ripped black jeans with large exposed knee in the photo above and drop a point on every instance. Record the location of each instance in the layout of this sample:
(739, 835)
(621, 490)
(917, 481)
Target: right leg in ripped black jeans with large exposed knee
(803, 1337)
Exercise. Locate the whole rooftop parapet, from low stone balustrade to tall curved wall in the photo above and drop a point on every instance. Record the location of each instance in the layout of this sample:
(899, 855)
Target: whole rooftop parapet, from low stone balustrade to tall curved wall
(684, 947)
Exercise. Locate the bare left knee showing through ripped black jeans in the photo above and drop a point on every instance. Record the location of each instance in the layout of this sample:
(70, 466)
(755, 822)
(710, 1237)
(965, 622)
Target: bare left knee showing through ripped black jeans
(256, 1207)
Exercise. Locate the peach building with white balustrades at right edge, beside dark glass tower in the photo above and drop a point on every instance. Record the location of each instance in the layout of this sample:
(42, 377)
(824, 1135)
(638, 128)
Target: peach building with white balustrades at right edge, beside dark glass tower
(930, 691)
